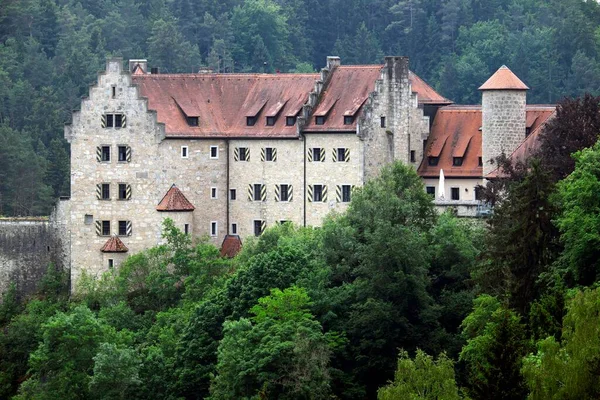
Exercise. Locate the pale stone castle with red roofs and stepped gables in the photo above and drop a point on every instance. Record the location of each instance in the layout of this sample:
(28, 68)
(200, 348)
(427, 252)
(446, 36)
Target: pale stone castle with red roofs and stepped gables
(227, 155)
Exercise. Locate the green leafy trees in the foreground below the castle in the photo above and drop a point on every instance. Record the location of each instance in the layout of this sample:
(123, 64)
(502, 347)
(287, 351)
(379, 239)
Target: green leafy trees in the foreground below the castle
(389, 300)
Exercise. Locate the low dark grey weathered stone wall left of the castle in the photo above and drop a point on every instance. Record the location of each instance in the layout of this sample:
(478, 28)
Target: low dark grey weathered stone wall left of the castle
(27, 248)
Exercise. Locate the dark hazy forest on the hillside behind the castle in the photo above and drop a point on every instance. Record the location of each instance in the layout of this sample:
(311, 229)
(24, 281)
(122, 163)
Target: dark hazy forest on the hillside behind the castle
(51, 51)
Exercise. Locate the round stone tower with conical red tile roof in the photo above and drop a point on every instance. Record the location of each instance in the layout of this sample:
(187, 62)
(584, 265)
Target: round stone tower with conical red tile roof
(503, 114)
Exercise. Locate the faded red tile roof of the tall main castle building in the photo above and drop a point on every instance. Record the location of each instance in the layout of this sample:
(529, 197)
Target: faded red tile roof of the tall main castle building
(222, 102)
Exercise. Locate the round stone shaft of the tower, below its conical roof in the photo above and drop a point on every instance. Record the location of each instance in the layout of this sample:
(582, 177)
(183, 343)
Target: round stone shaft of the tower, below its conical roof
(504, 124)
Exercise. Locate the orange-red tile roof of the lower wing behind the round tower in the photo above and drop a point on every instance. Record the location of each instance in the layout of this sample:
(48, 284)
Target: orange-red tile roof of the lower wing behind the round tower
(456, 132)
